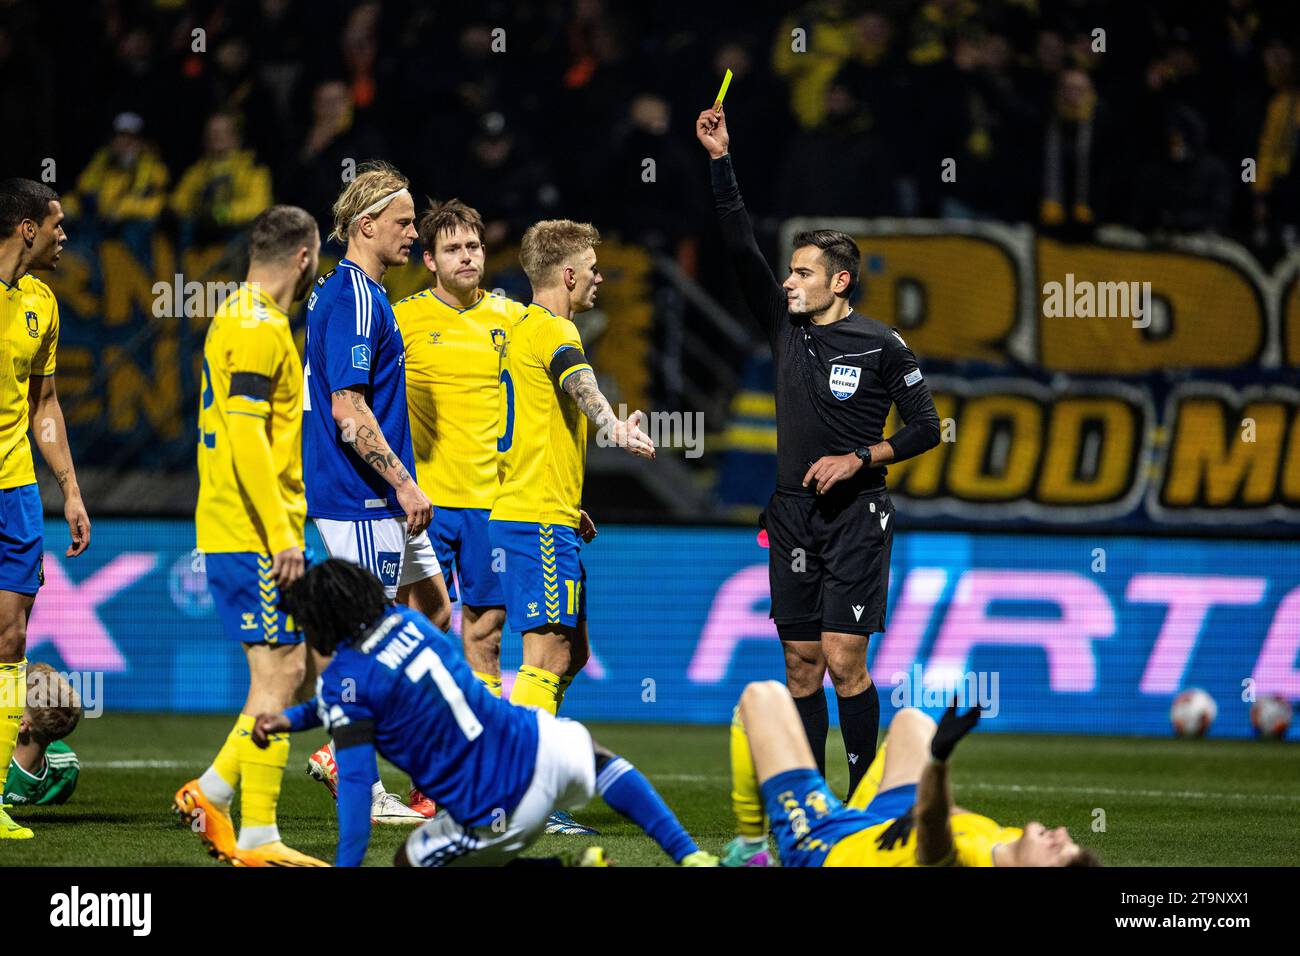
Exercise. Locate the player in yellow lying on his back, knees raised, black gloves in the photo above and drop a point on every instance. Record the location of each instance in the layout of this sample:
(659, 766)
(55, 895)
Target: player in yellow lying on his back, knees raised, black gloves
(902, 814)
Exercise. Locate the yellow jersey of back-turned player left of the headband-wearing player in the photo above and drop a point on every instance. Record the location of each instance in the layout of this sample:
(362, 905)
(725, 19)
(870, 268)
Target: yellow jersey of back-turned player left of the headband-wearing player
(250, 334)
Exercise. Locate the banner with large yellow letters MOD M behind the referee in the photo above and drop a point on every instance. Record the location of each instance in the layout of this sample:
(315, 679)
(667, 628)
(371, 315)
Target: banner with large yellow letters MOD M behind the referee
(1120, 383)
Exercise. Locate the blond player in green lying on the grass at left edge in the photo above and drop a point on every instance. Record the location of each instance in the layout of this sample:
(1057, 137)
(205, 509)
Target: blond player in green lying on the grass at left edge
(45, 769)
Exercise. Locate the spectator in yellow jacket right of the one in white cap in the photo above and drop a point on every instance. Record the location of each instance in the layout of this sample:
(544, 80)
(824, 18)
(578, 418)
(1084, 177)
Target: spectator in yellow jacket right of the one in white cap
(227, 188)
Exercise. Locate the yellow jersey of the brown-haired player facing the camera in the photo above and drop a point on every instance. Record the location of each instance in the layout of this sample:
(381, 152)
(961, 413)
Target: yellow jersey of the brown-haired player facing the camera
(453, 364)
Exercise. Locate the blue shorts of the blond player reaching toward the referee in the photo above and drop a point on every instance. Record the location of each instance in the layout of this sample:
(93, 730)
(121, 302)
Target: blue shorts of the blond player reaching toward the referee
(545, 581)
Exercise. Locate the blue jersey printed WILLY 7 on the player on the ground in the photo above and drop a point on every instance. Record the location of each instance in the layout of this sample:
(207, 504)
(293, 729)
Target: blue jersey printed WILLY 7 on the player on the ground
(469, 751)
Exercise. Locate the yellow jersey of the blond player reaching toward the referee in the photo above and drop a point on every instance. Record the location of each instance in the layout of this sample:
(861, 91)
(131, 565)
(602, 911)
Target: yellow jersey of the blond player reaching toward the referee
(543, 440)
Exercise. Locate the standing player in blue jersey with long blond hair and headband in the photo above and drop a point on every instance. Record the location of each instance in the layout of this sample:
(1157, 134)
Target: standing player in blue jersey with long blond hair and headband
(358, 458)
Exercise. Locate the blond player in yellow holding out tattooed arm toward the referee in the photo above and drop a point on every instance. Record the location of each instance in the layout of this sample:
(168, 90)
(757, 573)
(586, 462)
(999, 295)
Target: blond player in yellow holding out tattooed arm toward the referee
(551, 393)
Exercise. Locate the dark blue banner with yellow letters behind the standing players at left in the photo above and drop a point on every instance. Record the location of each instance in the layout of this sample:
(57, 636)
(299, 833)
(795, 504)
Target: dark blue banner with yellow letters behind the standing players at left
(136, 306)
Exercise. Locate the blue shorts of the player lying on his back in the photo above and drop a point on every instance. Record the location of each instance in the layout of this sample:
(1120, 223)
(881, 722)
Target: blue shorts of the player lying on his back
(808, 820)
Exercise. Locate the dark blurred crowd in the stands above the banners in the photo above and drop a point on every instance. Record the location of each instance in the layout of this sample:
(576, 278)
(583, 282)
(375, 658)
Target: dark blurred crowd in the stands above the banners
(1164, 116)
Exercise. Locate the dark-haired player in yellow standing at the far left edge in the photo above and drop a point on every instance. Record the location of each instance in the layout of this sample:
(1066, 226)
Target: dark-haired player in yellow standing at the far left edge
(32, 237)
